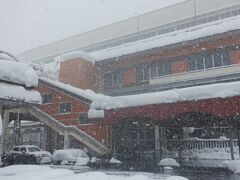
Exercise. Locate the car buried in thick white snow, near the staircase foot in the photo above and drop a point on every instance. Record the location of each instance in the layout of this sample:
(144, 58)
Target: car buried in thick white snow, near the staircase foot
(66, 156)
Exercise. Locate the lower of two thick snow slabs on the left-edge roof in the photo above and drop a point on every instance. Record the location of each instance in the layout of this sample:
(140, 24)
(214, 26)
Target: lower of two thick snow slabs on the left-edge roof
(19, 93)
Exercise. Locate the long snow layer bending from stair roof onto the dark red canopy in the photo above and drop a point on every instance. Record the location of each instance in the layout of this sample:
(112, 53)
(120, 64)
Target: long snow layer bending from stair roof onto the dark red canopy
(102, 102)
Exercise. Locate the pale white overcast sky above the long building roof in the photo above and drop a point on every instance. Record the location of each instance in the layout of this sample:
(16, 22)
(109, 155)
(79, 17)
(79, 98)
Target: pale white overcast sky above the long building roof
(26, 24)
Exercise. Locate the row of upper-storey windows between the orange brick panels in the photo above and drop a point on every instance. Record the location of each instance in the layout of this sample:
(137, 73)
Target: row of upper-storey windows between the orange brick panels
(145, 72)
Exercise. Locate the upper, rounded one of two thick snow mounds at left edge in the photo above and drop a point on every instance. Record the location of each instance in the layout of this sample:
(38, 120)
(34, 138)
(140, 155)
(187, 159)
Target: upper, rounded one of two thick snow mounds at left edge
(18, 73)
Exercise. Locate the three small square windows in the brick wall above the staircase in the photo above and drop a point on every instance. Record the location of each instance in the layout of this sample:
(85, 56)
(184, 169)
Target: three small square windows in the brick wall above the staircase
(65, 108)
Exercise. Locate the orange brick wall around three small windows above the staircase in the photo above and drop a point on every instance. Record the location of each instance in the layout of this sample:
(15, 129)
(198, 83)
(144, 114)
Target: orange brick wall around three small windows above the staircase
(96, 130)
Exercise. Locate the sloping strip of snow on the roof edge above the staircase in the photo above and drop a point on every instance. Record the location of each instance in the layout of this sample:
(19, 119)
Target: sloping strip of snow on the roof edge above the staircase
(88, 94)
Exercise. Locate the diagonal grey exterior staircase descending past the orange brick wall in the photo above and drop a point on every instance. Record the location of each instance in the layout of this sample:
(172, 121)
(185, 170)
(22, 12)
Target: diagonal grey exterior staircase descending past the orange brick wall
(73, 131)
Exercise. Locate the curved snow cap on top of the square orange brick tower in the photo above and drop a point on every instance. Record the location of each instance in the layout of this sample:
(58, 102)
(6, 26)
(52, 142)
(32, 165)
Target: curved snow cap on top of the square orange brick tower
(75, 55)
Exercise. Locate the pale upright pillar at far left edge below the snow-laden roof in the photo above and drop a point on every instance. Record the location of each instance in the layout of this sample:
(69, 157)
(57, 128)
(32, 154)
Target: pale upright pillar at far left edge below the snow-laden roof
(5, 120)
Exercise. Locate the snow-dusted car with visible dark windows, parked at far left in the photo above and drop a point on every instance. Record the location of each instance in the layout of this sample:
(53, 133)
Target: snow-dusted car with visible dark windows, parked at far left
(26, 154)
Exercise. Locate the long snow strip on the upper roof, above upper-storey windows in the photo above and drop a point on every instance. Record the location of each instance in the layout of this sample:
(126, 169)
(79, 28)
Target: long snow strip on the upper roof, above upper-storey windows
(193, 33)
